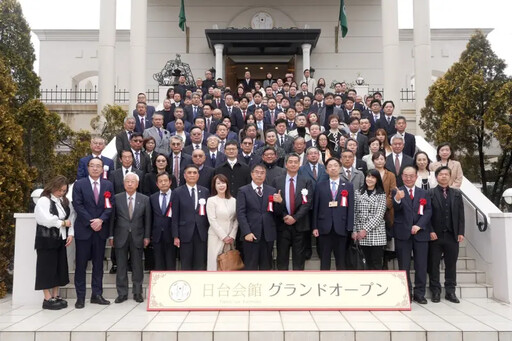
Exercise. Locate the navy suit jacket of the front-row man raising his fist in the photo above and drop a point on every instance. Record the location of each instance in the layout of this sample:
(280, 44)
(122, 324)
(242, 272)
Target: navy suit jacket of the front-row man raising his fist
(406, 215)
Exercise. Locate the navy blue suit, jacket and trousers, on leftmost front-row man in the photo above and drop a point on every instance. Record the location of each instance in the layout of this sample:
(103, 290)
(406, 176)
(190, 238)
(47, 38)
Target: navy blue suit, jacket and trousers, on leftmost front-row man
(90, 244)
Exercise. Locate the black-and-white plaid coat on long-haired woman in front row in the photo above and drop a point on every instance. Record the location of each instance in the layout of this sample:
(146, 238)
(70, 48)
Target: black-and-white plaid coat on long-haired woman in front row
(369, 215)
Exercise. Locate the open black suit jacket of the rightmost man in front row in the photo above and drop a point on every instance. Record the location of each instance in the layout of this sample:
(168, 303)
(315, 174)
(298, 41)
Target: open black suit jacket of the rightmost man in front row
(456, 207)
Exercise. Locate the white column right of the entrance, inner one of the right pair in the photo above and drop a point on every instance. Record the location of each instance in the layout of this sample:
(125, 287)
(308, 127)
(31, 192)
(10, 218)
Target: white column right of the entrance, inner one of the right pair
(391, 52)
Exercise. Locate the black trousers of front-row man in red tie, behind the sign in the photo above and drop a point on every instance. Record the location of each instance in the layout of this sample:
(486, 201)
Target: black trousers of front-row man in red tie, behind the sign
(286, 238)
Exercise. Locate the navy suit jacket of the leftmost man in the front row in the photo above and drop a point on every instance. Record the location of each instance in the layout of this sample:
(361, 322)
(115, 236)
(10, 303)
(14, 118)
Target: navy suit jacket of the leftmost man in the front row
(86, 208)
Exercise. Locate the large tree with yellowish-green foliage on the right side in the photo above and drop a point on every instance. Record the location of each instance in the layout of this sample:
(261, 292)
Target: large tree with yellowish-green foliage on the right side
(468, 108)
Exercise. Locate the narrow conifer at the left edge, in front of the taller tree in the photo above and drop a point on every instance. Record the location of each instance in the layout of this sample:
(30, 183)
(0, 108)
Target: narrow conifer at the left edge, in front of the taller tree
(15, 175)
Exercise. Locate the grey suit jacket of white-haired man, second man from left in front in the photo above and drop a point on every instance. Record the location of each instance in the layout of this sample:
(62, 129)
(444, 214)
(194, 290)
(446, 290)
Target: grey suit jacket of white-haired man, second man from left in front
(139, 225)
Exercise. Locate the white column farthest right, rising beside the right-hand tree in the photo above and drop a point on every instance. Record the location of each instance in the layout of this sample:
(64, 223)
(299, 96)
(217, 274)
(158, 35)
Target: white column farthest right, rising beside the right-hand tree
(422, 55)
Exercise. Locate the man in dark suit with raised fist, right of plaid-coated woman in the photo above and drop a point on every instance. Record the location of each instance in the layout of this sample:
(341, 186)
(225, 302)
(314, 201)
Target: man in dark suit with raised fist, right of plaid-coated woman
(411, 229)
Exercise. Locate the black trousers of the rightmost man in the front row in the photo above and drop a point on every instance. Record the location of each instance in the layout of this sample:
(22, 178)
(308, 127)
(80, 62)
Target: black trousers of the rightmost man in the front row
(445, 245)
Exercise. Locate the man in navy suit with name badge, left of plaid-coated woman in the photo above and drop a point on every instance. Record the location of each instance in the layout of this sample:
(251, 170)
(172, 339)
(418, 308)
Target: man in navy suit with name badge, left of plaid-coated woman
(333, 215)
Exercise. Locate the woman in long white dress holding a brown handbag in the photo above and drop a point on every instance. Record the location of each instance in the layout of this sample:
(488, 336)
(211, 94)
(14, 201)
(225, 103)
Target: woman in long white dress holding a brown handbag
(221, 212)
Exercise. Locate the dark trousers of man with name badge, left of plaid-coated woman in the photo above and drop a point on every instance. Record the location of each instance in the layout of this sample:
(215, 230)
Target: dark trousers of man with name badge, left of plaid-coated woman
(332, 243)
